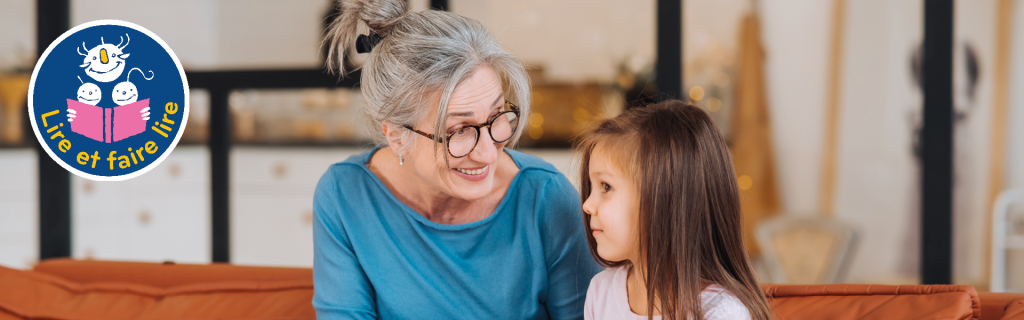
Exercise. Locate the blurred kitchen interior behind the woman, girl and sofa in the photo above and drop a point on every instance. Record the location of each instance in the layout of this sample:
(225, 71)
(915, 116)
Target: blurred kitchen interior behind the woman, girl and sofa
(822, 103)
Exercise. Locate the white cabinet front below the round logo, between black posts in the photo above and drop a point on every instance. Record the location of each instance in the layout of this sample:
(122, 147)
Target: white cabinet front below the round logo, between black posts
(161, 216)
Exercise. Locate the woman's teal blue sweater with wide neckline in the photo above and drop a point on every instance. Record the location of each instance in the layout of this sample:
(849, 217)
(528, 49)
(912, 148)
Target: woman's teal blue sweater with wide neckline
(376, 258)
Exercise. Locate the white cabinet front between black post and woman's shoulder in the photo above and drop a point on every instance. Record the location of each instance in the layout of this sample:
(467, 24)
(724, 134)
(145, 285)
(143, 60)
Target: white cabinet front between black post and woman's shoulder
(272, 203)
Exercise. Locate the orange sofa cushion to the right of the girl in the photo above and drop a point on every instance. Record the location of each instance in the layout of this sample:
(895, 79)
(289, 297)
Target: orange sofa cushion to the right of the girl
(874, 302)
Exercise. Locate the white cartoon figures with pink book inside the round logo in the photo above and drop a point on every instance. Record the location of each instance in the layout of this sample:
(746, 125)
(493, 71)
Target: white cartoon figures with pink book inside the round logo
(106, 63)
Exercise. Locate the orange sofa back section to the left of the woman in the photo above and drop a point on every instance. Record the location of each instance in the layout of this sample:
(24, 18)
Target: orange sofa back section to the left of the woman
(32, 295)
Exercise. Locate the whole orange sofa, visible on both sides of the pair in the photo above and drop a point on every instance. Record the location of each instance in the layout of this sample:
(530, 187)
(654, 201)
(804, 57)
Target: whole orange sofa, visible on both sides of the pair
(92, 290)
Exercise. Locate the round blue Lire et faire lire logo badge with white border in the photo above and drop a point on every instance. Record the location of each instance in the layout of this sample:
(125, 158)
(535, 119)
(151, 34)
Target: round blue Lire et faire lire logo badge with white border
(109, 101)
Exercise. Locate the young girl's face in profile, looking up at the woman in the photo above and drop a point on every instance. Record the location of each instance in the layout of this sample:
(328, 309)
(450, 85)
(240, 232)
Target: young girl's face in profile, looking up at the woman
(614, 209)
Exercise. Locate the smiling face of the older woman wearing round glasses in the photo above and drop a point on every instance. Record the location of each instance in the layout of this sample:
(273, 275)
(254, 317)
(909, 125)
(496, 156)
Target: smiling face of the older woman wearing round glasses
(473, 177)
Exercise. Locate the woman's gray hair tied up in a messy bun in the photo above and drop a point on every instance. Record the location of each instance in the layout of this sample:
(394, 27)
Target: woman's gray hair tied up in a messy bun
(421, 55)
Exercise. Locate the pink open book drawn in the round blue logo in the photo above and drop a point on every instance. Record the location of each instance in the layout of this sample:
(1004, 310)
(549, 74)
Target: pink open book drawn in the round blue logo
(108, 125)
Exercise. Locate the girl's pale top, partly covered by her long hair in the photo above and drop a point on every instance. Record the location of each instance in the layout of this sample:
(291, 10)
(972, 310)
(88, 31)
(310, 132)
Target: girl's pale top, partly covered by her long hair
(607, 300)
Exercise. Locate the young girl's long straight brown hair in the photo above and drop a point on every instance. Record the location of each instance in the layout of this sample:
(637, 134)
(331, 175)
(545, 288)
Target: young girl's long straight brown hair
(690, 224)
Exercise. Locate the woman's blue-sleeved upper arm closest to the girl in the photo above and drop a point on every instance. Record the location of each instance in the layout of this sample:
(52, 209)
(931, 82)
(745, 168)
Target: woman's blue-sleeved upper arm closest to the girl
(570, 265)
